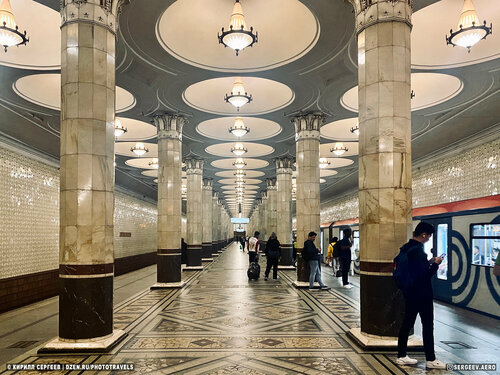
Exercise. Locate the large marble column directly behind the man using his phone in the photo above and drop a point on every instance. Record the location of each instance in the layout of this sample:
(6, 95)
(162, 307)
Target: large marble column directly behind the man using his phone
(385, 198)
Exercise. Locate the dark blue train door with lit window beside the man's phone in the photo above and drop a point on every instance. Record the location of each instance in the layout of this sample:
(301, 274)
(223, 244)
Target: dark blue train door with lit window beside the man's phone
(438, 245)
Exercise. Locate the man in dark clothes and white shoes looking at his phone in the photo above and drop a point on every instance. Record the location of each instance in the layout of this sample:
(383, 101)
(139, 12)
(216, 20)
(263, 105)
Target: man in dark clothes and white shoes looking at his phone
(413, 274)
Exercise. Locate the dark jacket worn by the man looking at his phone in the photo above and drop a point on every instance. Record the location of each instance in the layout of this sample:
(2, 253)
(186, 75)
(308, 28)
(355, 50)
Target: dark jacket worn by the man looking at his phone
(421, 271)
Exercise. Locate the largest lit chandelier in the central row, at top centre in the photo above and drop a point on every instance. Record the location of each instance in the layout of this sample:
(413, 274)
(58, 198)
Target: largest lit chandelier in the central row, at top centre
(237, 37)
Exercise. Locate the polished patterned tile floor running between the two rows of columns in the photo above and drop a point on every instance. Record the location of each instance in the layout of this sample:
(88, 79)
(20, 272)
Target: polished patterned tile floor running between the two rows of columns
(221, 323)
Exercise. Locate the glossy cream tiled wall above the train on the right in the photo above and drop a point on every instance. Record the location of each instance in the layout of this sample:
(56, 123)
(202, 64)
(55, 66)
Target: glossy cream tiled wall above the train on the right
(472, 174)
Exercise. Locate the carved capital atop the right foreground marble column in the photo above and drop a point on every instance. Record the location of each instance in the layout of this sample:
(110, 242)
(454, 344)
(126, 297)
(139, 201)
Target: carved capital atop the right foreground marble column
(369, 13)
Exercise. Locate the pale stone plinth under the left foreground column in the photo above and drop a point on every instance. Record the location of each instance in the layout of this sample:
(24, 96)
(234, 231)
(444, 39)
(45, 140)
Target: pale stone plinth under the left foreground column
(94, 345)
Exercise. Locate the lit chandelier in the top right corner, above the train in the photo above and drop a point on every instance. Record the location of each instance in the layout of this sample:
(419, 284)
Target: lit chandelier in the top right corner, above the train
(470, 31)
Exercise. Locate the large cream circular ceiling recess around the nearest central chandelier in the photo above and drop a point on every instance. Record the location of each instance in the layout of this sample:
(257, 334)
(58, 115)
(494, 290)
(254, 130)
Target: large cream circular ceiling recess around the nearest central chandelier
(187, 31)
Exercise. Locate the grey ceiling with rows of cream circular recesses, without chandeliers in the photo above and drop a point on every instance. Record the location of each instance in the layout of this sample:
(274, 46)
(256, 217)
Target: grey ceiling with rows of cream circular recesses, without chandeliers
(169, 60)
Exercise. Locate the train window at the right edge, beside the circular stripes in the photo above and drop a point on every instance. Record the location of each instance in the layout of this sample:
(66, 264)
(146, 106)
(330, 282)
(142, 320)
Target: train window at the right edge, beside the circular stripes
(485, 243)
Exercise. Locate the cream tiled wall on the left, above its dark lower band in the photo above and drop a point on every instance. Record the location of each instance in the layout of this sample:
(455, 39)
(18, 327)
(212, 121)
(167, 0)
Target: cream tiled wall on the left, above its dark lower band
(29, 218)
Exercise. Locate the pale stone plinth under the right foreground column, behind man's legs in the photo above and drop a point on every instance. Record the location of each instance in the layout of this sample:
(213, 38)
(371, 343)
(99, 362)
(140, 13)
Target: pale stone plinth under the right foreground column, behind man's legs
(382, 343)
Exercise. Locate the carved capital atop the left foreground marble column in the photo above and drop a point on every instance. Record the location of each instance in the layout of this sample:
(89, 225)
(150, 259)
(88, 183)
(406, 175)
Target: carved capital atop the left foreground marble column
(97, 12)
